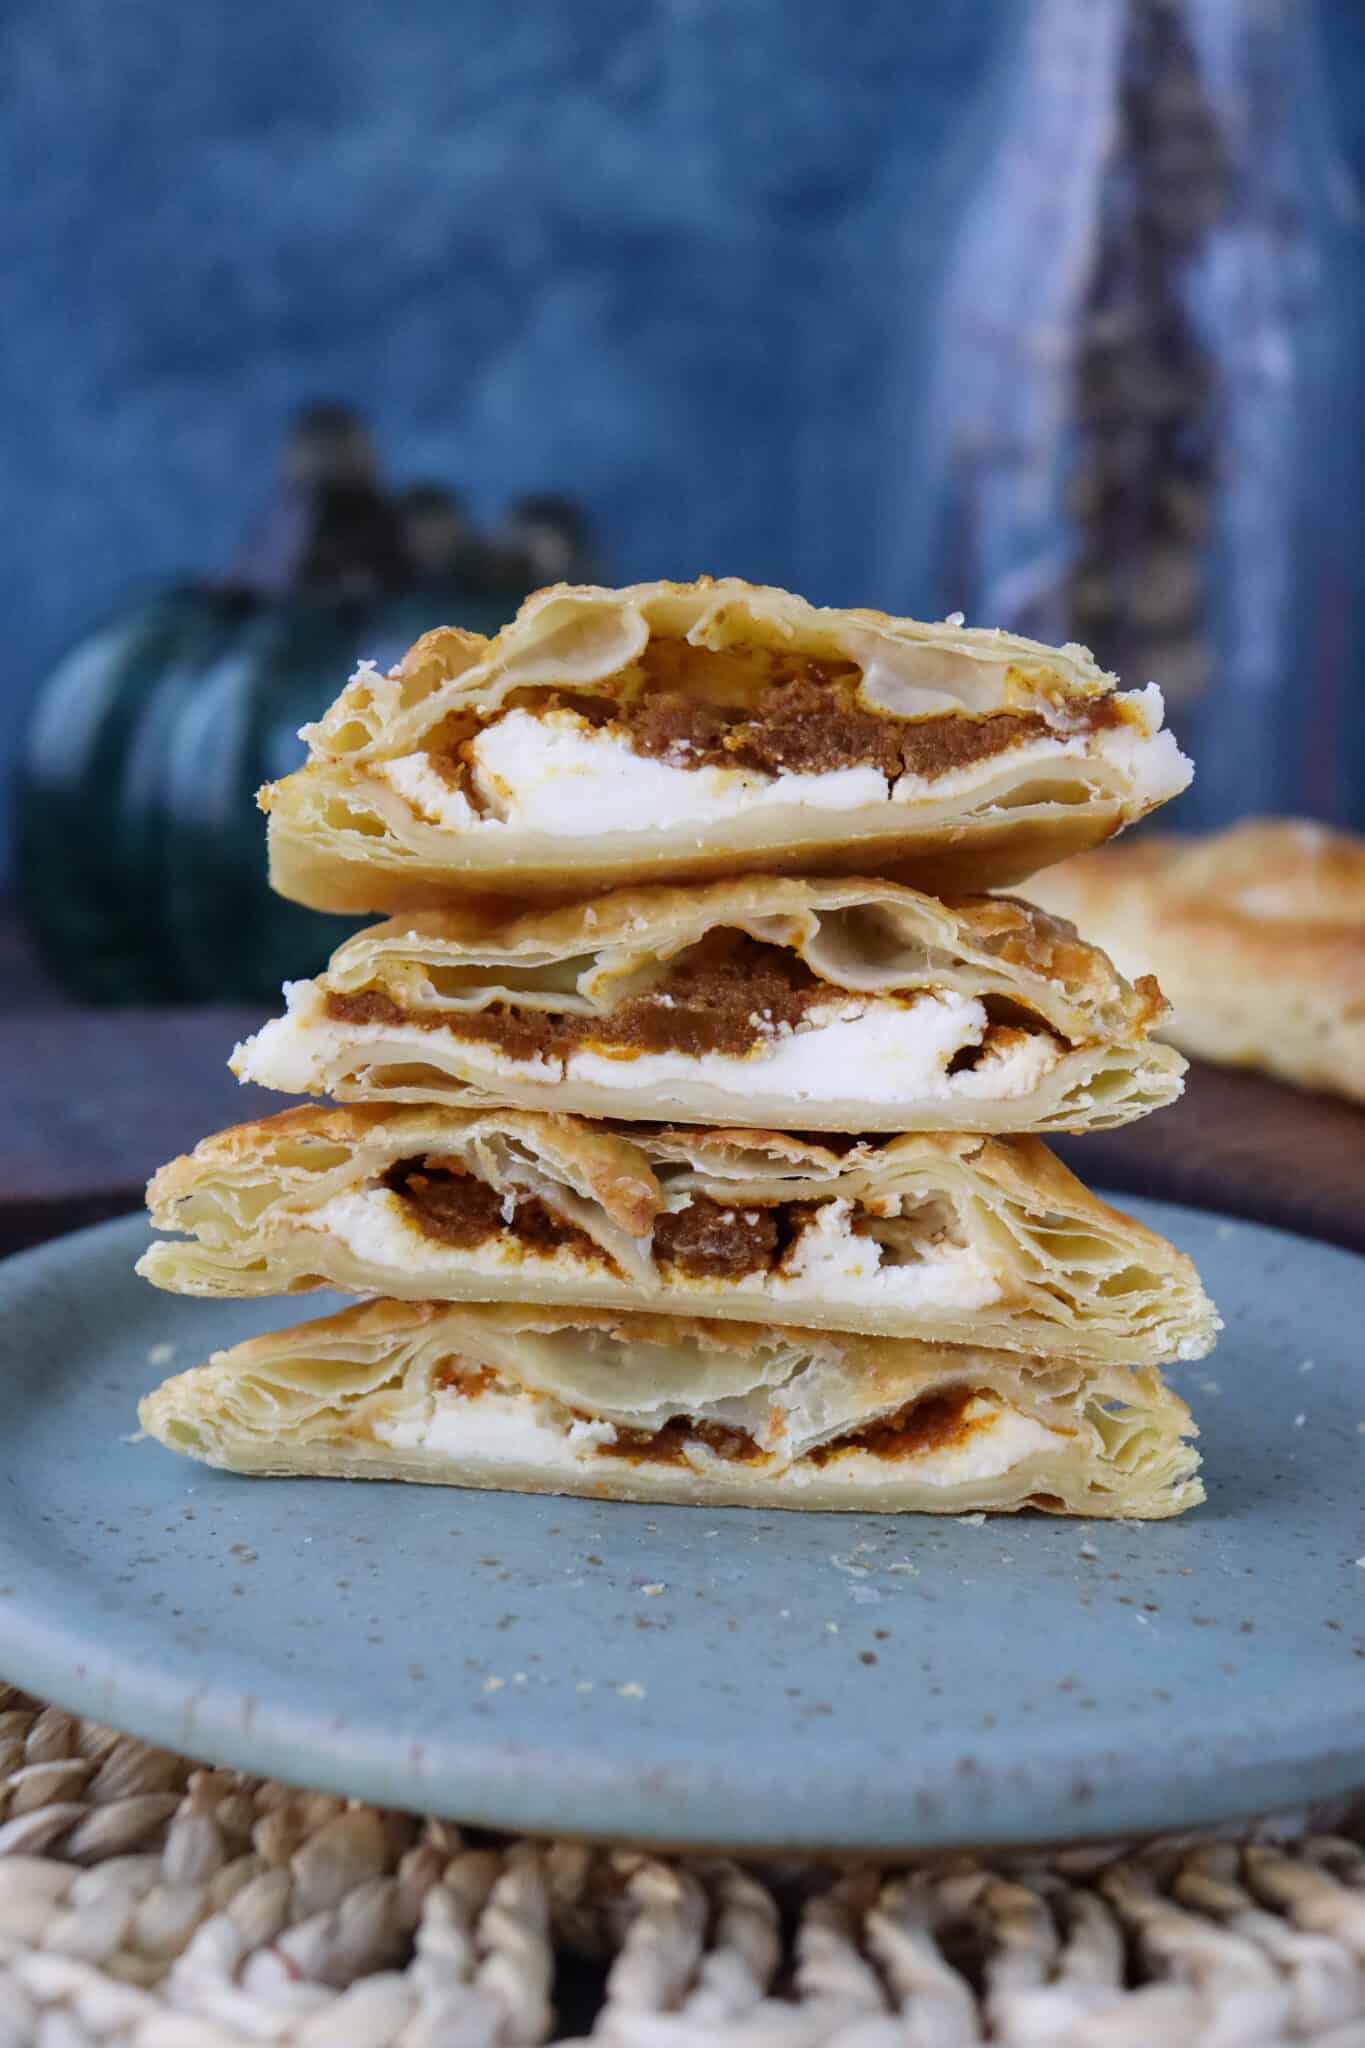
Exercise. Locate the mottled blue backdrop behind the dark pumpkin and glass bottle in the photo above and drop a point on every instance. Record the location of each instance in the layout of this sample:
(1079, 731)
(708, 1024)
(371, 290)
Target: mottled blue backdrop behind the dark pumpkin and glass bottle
(644, 249)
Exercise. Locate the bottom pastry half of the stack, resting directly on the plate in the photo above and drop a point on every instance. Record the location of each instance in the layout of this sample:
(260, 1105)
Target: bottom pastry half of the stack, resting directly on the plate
(658, 1408)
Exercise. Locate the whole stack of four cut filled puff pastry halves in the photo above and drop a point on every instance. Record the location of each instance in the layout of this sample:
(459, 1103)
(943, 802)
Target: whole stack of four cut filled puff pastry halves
(685, 1144)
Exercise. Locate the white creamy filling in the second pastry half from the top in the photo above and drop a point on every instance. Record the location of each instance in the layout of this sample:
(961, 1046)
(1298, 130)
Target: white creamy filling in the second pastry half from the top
(856, 1048)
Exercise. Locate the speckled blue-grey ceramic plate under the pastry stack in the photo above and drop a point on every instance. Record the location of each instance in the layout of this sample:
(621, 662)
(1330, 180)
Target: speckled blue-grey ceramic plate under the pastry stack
(697, 1676)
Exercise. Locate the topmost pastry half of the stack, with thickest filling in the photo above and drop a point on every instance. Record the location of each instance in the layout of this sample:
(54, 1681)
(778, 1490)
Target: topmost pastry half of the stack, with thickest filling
(697, 730)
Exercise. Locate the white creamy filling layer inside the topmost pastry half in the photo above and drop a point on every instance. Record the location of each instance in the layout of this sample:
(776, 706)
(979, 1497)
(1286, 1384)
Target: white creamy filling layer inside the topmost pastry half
(552, 773)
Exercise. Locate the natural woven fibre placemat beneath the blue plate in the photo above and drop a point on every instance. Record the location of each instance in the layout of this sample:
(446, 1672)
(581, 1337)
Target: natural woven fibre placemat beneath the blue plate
(155, 1904)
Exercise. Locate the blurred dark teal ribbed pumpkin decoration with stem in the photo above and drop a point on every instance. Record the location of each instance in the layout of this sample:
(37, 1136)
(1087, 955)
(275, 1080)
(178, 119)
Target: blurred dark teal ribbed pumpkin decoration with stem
(142, 853)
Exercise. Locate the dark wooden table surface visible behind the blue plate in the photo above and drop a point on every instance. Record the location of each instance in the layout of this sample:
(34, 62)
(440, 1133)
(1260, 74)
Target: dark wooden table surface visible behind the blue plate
(93, 1103)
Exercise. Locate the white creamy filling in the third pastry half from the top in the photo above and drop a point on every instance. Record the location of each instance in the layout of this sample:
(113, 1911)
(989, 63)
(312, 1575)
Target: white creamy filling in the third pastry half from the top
(828, 1261)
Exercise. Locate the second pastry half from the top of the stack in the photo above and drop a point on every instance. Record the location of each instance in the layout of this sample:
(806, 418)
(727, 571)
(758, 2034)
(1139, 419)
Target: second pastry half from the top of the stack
(799, 1005)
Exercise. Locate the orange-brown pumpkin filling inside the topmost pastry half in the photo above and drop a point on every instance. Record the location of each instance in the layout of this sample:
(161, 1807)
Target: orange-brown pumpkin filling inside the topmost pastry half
(777, 714)
